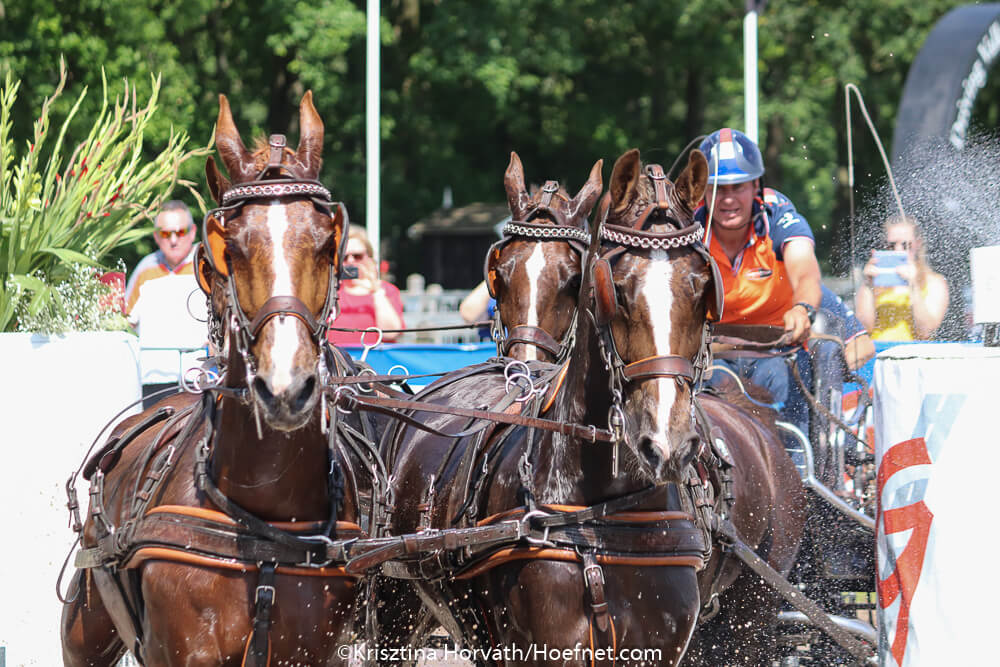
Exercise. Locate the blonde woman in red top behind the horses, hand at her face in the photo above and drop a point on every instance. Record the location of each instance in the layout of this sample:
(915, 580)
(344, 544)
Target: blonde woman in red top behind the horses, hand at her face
(365, 301)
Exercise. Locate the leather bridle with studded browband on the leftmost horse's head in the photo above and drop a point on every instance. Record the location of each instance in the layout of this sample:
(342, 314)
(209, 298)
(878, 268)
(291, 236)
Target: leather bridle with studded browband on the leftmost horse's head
(274, 181)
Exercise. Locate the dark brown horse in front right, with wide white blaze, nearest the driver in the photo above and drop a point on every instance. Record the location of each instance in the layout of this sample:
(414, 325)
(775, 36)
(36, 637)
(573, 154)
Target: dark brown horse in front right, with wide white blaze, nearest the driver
(619, 575)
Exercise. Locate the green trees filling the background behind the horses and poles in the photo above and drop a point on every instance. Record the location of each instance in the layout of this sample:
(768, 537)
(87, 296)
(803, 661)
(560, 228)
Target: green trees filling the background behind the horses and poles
(563, 82)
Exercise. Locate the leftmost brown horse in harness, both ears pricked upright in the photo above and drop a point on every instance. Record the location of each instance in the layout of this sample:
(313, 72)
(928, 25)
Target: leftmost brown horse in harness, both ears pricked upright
(215, 525)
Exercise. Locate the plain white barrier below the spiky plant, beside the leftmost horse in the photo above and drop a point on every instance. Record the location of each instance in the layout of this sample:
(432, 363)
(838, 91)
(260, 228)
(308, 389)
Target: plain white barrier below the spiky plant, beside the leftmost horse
(55, 395)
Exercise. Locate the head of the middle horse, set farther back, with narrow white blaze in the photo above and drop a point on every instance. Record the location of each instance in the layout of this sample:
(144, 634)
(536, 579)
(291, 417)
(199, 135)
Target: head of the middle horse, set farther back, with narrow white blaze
(535, 281)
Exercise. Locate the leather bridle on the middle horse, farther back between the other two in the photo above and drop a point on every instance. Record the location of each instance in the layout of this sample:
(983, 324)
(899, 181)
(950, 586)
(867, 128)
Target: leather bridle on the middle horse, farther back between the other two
(575, 235)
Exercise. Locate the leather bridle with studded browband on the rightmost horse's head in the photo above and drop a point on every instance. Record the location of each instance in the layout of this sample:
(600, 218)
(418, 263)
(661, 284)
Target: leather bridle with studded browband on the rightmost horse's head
(617, 240)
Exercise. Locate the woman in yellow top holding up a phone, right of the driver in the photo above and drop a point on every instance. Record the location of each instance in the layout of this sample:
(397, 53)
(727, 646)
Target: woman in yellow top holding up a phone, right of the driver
(914, 310)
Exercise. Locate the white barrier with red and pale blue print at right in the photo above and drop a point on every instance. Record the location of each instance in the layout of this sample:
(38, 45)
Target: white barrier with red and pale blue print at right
(938, 453)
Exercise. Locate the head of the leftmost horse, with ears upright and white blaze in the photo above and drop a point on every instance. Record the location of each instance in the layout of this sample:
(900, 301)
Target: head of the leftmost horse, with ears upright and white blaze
(270, 262)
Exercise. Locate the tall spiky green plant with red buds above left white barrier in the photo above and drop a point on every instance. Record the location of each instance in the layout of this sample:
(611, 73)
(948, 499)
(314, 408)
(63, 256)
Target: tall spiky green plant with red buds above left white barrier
(54, 218)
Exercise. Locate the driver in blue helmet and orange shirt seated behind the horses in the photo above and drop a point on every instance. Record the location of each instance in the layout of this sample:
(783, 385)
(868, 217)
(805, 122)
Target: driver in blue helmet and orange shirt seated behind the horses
(765, 252)
